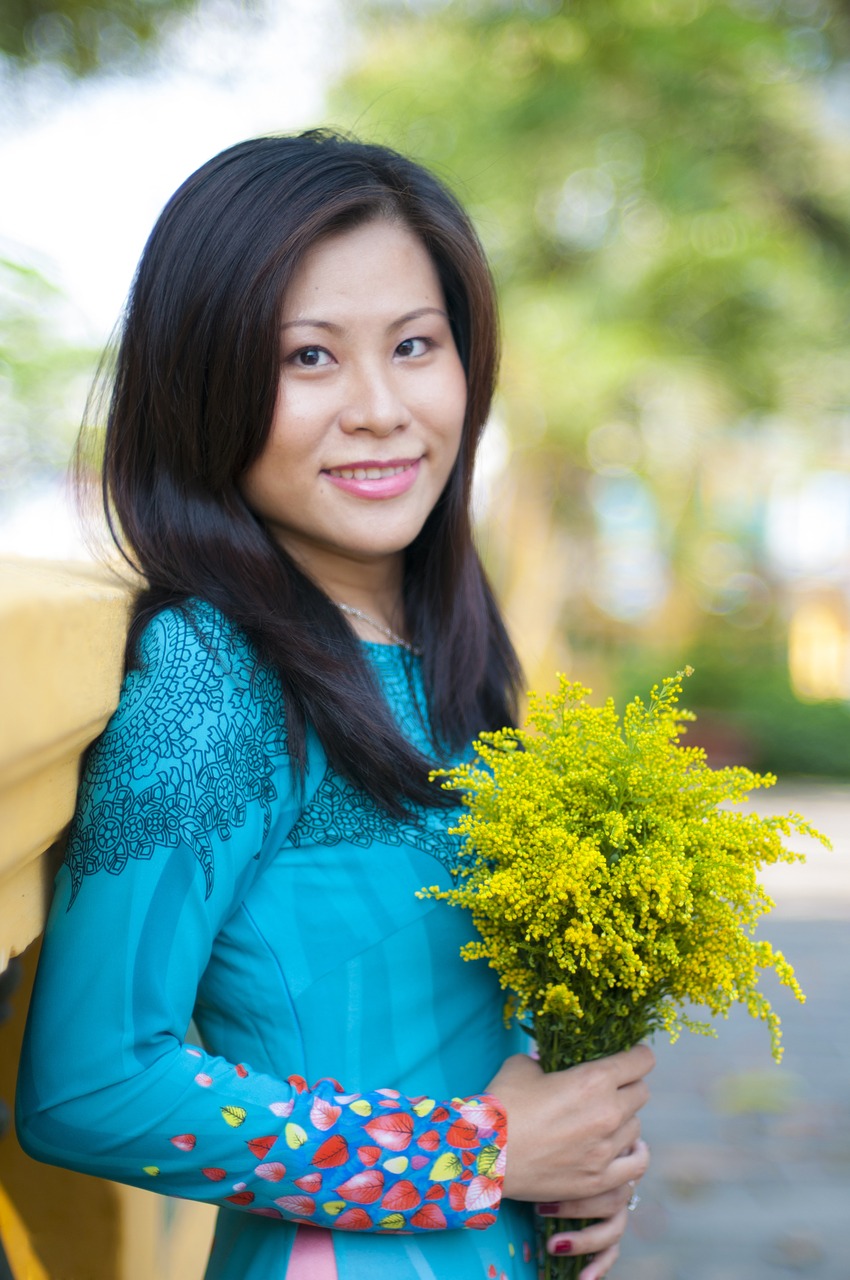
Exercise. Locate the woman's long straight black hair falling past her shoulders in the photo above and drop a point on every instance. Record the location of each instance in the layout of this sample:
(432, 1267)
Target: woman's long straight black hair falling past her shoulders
(193, 405)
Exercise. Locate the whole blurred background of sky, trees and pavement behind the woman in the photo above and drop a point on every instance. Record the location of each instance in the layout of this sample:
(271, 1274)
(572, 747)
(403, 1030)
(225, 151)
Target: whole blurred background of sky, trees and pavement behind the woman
(664, 189)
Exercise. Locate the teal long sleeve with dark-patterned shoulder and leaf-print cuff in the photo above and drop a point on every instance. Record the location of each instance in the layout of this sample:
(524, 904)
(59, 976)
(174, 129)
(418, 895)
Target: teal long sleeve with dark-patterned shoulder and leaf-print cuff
(186, 798)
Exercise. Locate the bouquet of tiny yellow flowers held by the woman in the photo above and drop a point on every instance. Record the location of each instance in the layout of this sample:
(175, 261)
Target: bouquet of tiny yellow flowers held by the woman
(610, 883)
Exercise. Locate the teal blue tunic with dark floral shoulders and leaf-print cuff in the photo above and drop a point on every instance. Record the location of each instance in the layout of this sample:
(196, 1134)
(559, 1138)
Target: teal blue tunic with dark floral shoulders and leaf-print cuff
(344, 1044)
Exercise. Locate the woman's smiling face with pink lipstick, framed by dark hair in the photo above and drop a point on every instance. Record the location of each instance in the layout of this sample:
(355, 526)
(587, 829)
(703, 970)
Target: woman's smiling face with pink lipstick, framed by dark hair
(371, 405)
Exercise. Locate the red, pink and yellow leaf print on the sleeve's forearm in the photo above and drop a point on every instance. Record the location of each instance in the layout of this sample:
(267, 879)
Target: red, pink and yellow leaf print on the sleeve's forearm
(335, 1164)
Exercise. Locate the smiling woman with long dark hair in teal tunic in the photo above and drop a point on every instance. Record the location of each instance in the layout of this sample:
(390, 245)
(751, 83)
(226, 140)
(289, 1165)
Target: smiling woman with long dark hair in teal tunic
(307, 367)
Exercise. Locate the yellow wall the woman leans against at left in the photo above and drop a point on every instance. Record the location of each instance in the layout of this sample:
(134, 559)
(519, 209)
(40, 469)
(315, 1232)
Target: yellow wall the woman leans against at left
(62, 641)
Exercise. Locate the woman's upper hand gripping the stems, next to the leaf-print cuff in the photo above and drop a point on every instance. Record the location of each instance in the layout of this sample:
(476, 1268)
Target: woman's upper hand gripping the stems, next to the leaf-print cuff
(574, 1135)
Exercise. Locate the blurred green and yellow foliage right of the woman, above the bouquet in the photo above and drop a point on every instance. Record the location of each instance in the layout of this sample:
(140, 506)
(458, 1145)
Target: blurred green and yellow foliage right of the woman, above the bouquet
(664, 188)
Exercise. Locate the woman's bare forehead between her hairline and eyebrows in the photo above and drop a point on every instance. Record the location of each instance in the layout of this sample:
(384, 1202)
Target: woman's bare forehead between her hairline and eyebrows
(378, 264)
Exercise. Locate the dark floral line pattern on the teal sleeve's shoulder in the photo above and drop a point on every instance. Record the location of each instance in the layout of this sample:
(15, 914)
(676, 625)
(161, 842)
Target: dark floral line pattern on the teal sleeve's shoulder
(193, 746)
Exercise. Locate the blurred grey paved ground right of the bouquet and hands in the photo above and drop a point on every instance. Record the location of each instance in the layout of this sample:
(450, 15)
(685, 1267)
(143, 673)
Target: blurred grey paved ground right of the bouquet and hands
(751, 1176)
